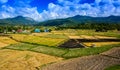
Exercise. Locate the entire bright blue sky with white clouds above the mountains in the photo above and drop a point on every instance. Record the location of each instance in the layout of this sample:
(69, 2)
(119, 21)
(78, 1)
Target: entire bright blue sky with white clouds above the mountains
(41, 10)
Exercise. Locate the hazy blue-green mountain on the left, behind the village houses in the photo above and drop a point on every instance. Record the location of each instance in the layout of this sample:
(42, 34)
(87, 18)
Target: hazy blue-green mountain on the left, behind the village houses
(19, 20)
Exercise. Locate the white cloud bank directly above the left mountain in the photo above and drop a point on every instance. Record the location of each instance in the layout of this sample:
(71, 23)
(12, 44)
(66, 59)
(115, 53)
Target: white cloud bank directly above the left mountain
(8, 12)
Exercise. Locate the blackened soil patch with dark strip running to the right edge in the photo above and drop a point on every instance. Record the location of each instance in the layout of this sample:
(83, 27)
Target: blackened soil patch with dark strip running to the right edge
(78, 43)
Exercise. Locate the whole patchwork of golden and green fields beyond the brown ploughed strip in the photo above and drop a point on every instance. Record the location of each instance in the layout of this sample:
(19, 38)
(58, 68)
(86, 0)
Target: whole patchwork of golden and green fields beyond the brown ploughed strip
(32, 51)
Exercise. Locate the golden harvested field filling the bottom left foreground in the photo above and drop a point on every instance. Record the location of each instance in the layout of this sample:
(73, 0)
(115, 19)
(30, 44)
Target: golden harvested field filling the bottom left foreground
(24, 60)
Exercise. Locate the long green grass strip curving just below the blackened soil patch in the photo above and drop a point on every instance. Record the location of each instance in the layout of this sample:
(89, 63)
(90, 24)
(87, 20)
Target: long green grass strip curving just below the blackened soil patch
(60, 52)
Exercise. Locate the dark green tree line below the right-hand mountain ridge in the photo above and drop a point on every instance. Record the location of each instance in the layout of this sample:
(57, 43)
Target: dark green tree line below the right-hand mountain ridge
(96, 26)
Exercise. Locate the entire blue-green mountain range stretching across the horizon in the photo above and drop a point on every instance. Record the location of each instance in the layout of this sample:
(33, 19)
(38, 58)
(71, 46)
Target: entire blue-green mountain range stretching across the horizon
(20, 20)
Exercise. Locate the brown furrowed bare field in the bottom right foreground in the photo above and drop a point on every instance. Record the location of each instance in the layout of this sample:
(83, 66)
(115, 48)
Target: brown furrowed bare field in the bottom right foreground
(94, 62)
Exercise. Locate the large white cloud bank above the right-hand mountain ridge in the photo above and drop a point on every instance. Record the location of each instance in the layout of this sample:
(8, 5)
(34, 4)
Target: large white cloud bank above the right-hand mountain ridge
(68, 8)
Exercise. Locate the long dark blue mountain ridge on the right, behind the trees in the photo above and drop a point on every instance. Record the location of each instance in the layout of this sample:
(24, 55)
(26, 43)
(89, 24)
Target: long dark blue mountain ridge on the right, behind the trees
(80, 20)
